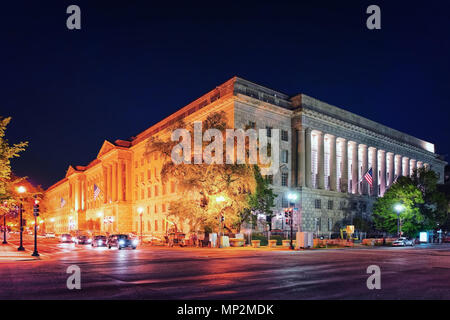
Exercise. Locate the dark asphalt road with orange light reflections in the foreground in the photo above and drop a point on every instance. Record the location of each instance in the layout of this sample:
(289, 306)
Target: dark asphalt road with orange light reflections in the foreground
(422, 272)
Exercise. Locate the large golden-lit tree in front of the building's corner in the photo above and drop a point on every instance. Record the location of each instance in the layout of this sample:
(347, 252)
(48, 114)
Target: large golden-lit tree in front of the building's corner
(210, 191)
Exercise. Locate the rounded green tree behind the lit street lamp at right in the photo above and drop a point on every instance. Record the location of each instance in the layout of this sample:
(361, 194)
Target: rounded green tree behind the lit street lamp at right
(402, 192)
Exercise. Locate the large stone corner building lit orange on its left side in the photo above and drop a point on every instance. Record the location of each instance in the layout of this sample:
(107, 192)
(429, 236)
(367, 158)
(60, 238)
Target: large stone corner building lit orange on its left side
(324, 152)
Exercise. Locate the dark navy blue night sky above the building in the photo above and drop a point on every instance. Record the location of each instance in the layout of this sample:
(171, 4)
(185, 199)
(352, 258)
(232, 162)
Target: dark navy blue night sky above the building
(134, 63)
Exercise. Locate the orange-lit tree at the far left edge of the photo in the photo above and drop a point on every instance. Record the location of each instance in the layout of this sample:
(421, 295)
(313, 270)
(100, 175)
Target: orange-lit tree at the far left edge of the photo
(7, 152)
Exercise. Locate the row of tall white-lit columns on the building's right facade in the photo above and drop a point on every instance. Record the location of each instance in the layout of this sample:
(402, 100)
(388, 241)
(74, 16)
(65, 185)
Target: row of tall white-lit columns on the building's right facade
(391, 164)
